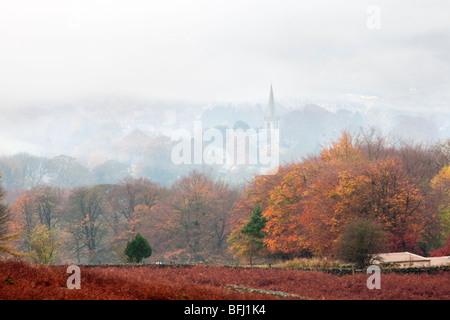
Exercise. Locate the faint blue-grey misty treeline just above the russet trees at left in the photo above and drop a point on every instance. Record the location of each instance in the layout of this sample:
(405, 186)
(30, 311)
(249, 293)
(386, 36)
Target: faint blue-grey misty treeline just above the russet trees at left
(146, 157)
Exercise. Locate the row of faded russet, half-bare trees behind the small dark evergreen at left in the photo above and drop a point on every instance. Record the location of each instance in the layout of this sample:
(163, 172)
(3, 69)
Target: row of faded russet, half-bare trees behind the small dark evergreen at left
(187, 222)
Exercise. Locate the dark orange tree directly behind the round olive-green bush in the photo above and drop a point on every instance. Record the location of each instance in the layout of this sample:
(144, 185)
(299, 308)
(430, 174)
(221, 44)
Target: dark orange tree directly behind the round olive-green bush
(382, 190)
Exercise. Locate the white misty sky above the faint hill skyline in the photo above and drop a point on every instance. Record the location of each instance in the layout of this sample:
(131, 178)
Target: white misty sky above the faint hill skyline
(222, 50)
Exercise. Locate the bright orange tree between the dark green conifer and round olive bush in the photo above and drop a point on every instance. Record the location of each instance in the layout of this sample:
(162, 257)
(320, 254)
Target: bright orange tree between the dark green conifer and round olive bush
(301, 208)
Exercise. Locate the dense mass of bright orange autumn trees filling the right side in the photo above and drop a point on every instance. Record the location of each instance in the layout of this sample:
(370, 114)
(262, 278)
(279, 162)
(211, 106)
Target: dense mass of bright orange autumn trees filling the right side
(403, 188)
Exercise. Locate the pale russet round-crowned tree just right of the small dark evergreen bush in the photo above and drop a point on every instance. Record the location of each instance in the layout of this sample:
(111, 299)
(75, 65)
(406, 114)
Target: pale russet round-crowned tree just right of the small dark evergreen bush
(196, 216)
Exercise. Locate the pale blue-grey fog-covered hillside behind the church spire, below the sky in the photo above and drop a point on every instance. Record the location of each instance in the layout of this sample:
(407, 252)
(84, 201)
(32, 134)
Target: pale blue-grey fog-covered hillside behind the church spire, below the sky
(115, 137)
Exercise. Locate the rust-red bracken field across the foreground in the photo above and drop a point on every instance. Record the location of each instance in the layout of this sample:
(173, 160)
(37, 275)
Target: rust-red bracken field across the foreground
(20, 280)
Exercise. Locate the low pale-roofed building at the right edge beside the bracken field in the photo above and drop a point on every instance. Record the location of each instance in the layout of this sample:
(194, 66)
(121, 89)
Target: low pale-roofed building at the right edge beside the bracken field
(407, 259)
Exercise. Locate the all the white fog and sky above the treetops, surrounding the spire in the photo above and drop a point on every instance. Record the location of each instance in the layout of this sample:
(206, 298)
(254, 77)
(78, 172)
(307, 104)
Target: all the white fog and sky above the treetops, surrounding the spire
(107, 83)
